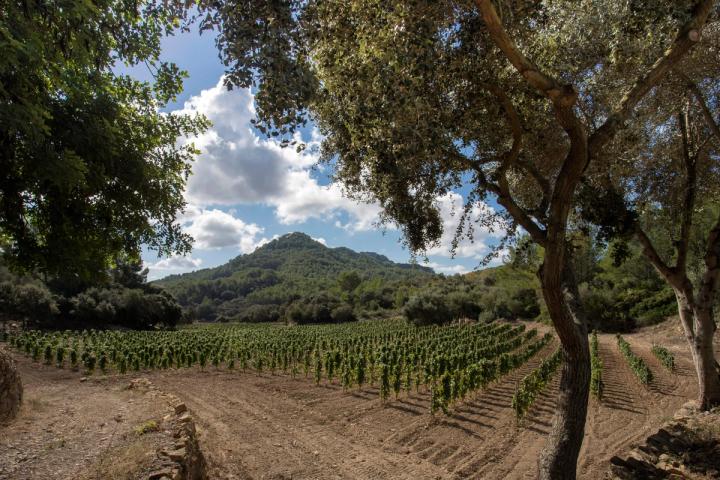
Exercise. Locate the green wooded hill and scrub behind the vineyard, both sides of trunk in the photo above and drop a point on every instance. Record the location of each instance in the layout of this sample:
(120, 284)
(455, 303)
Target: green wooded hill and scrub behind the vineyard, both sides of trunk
(296, 279)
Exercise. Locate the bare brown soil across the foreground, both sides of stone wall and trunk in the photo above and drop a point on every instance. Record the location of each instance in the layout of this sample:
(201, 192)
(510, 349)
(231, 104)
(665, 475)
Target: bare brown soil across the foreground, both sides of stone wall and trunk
(276, 427)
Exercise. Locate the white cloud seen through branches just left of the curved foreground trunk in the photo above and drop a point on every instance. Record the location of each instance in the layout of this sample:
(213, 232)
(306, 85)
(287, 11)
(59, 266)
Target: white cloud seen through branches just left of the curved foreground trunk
(451, 209)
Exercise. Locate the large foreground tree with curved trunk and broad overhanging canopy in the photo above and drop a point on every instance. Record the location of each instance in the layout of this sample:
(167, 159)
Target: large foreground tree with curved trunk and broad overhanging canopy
(509, 100)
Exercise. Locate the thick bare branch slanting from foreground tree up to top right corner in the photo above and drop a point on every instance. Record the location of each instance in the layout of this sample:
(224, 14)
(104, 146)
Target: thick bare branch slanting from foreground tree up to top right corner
(686, 38)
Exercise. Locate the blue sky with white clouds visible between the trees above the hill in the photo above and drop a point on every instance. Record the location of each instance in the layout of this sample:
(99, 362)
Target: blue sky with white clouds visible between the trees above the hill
(245, 190)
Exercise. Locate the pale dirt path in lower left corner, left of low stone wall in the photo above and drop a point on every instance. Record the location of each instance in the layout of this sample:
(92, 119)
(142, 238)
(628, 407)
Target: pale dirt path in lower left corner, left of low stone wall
(70, 429)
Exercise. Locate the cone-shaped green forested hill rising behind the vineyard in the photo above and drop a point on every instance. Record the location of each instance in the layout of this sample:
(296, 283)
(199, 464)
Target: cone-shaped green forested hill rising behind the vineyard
(290, 269)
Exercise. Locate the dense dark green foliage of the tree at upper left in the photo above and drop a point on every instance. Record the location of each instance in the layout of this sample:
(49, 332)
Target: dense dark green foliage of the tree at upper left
(90, 167)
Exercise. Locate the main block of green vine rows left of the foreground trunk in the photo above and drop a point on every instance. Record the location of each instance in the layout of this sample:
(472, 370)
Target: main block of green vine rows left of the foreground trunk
(450, 362)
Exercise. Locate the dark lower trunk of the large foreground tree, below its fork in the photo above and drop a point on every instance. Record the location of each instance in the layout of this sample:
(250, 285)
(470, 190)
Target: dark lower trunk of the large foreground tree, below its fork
(558, 460)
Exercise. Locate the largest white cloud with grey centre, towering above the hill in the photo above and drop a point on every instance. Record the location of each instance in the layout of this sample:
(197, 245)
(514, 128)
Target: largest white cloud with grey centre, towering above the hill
(236, 166)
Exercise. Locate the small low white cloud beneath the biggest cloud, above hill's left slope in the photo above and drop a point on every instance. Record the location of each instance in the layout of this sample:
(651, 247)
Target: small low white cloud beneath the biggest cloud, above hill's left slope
(213, 229)
